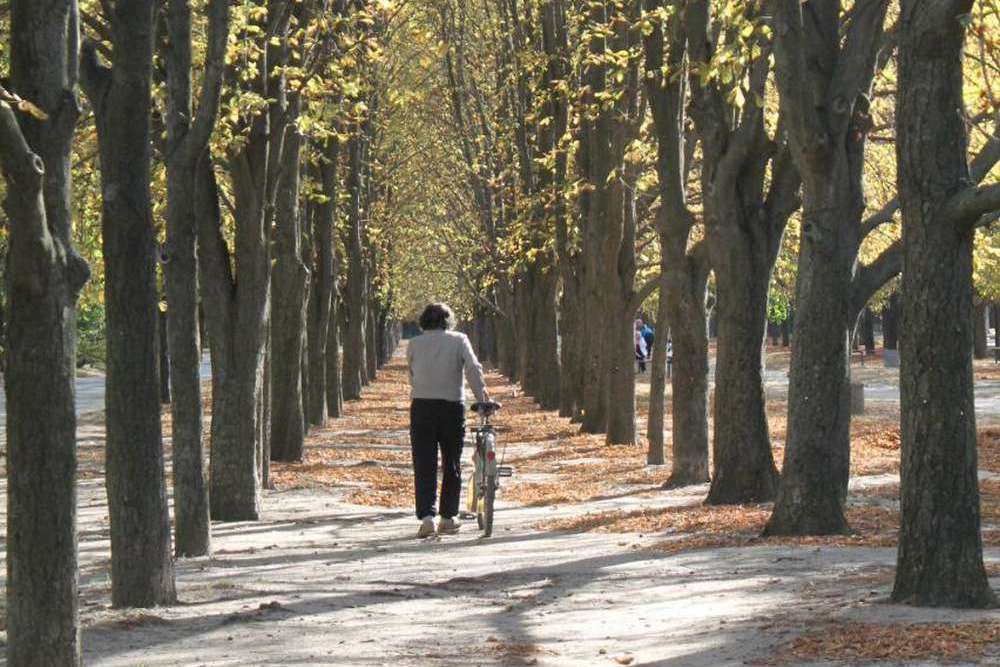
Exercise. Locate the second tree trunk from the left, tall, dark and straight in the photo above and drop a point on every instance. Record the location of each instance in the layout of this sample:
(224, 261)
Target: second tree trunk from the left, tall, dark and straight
(142, 572)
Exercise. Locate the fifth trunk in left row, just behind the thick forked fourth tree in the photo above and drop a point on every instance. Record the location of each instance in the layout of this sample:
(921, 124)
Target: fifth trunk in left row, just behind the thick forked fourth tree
(289, 305)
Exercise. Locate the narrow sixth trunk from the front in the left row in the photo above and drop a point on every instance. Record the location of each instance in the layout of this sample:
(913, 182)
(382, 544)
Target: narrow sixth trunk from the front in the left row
(323, 288)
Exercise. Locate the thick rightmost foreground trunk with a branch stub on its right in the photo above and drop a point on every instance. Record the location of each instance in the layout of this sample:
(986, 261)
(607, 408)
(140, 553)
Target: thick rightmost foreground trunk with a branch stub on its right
(940, 557)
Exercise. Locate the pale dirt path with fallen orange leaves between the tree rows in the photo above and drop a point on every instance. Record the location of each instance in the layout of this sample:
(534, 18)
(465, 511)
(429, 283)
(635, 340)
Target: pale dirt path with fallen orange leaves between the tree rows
(591, 564)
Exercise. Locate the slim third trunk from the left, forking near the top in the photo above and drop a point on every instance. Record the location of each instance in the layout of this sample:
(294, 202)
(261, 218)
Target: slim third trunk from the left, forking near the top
(187, 142)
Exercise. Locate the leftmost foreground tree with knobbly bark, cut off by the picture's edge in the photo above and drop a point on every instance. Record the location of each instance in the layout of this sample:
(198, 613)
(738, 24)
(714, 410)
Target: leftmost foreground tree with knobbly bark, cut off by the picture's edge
(44, 276)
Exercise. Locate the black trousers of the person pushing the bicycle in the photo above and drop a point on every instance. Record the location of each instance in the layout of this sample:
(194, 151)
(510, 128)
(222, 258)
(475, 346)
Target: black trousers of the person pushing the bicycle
(437, 424)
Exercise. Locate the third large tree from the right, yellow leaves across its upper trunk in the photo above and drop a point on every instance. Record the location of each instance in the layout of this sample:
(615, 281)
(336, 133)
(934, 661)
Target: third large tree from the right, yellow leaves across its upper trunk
(750, 186)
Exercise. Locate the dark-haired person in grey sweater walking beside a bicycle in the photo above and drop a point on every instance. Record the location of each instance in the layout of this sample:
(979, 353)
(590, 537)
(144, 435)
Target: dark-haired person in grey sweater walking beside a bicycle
(437, 359)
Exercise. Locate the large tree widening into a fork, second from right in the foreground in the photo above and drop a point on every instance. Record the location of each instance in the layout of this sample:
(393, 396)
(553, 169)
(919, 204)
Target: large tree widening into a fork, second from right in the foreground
(825, 62)
